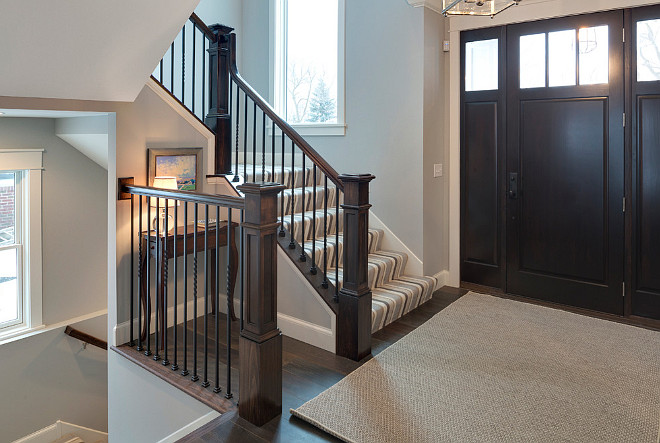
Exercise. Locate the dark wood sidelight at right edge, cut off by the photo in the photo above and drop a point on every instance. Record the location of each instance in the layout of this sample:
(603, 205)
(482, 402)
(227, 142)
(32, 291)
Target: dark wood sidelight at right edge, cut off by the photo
(645, 106)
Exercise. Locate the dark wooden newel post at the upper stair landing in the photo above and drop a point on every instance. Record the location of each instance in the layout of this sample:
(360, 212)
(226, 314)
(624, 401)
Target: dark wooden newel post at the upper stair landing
(219, 118)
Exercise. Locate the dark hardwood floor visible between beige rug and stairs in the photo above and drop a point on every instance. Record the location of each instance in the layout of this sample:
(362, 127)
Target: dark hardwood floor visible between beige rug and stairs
(307, 371)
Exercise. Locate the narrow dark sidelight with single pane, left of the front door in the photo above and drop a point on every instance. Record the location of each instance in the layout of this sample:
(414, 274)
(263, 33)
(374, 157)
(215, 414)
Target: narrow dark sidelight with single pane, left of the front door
(482, 158)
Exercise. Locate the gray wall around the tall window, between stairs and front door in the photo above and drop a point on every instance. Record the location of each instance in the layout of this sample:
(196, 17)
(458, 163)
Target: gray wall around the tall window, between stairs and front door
(395, 114)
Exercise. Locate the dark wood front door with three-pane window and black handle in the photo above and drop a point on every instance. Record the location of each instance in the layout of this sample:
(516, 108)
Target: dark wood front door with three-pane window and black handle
(565, 161)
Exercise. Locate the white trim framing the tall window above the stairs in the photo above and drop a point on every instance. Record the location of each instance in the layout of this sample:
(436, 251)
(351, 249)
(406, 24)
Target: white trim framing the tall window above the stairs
(276, 89)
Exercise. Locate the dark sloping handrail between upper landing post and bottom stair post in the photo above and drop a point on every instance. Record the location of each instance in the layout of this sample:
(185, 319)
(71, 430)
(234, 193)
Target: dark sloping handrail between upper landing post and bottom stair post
(291, 133)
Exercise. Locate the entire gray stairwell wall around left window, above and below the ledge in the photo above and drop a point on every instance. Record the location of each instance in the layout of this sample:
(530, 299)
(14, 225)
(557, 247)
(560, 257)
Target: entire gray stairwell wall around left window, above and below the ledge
(46, 375)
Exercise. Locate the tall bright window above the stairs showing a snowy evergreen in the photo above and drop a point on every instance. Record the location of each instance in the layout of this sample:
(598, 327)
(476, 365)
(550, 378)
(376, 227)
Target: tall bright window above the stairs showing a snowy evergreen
(309, 52)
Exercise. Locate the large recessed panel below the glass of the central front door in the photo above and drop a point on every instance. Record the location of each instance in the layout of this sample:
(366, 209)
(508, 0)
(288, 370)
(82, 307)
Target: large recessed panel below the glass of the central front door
(563, 231)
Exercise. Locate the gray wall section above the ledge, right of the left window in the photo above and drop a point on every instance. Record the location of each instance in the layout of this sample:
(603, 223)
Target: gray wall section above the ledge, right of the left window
(75, 220)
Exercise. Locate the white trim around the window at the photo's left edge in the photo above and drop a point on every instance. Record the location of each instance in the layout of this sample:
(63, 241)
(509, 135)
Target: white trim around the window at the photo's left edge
(30, 161)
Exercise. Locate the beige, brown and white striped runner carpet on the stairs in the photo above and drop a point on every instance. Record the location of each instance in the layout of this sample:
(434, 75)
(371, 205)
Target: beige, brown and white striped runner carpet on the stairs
(394, 293)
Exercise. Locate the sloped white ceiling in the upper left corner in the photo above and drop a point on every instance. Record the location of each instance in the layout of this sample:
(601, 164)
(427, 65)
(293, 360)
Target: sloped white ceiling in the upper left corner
(85, 49)
